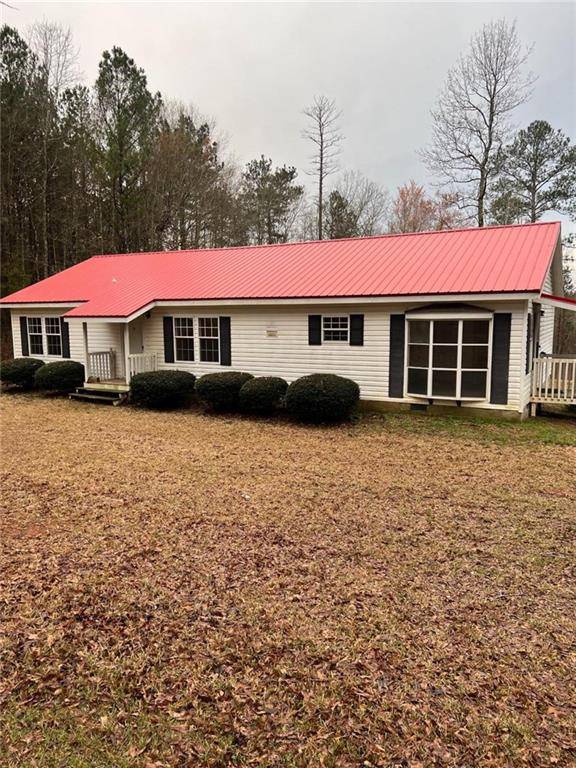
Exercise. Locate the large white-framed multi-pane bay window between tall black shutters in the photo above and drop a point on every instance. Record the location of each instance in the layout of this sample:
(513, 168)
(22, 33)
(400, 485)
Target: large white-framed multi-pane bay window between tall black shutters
(448, 358)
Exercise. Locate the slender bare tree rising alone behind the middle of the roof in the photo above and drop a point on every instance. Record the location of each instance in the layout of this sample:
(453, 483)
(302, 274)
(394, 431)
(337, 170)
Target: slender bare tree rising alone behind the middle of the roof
(323, 131)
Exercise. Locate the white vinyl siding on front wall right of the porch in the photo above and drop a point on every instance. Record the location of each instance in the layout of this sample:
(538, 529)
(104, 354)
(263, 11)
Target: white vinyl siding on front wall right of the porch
(273, 341)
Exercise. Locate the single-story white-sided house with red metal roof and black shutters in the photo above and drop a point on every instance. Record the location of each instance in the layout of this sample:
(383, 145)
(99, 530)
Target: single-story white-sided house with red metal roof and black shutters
(455, 317)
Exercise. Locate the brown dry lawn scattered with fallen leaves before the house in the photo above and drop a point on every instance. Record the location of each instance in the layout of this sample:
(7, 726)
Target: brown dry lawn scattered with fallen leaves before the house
(186, 590)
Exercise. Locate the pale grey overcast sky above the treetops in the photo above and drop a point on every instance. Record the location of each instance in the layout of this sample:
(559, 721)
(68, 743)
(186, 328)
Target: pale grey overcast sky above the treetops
(253, 67)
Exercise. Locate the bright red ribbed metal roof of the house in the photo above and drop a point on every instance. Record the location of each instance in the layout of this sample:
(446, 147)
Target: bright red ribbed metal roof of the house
(465, 261)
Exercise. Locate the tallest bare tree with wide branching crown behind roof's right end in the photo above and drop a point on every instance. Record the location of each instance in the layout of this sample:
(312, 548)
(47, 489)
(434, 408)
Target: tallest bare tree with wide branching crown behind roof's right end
(472, 118)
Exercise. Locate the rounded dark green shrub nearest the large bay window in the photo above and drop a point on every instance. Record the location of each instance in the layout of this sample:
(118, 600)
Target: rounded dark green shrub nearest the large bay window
(322, 397)
